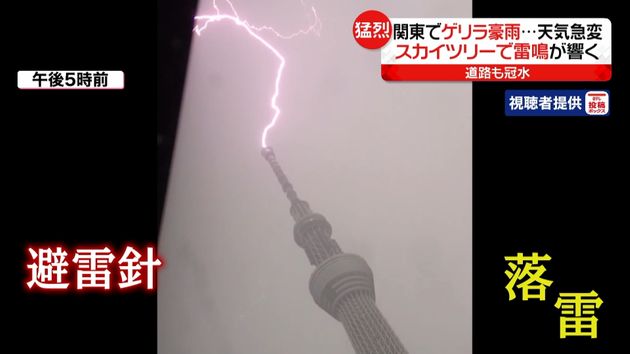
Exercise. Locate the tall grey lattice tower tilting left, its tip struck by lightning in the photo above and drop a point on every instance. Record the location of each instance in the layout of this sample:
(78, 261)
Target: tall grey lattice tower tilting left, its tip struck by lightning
(342, 283)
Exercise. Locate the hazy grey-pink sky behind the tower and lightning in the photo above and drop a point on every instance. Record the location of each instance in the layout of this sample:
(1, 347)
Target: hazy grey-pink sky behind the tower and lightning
(389, 165)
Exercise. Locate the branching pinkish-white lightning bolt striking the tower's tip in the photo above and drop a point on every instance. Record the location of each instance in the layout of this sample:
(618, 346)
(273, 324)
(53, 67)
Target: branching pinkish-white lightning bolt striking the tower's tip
(255, 32)
